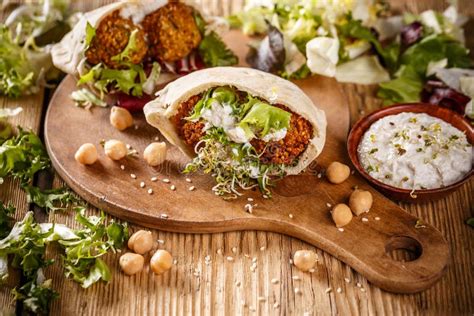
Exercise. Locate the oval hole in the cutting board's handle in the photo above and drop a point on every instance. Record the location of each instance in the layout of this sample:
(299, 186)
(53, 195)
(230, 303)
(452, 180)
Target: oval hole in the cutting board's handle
(403, 248)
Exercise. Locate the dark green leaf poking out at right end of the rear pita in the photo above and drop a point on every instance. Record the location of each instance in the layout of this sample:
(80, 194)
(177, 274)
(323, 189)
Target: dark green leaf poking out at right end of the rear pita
(215, 53)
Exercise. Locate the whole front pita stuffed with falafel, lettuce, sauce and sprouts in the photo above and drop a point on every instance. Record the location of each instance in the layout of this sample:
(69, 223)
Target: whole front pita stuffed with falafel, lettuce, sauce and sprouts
(243, 126)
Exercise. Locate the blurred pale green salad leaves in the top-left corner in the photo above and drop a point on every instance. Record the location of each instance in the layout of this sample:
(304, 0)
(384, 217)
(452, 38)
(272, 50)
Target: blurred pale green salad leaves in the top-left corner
(25, 62)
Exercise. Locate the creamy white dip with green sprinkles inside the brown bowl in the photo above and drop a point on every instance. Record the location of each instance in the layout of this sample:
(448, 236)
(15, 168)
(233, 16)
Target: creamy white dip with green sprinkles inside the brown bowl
(415, 151)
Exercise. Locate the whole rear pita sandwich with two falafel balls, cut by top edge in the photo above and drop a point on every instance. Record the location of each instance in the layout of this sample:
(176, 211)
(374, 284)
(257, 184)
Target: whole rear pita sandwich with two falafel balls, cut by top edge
(130, 48)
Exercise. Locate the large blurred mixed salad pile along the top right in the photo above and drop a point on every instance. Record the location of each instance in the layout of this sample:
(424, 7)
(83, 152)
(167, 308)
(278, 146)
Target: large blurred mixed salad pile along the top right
(354, 41)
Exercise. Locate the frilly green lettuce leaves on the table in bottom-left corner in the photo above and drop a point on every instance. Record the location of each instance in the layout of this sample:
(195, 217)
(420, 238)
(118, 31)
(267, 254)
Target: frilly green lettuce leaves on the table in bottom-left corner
(26, 244)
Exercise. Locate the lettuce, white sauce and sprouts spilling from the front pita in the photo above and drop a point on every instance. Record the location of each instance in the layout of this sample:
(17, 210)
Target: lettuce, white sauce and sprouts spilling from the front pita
(225, 150)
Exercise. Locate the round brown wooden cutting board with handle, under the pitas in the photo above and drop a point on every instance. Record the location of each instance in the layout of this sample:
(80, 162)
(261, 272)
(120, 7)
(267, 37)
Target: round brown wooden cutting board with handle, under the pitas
(300, 205)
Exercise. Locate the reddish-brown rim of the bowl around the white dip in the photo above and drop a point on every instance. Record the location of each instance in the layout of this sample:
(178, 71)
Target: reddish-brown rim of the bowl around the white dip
(416, 107)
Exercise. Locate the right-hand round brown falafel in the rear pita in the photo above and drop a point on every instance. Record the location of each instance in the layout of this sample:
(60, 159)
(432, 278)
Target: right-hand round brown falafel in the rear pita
(172, 32)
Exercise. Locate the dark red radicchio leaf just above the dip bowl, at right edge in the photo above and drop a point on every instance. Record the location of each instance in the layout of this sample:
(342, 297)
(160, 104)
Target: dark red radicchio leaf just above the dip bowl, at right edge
(436, 92)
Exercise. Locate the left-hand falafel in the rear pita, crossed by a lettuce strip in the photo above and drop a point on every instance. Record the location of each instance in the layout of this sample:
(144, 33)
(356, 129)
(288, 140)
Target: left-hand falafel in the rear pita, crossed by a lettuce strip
(111, 37)
